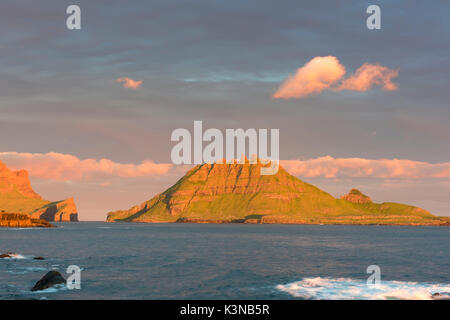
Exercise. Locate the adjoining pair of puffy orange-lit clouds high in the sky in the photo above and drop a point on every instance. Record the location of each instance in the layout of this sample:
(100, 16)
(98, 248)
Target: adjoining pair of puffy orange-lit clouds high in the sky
(324, 73)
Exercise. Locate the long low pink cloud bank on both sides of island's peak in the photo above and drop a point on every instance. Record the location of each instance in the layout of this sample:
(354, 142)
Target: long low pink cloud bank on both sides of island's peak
(67, 167)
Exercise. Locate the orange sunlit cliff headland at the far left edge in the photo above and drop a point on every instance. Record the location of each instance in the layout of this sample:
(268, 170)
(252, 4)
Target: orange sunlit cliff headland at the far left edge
(17, 196)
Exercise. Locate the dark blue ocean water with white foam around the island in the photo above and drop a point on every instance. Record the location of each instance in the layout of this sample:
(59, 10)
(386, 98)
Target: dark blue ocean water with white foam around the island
(227, 261)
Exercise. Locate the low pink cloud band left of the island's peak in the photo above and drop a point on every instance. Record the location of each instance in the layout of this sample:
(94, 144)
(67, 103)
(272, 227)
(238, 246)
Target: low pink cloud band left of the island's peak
(63, 167)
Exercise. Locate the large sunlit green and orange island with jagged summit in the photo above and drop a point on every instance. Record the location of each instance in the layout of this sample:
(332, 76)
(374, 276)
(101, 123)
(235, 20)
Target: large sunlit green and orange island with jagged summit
(223, 193)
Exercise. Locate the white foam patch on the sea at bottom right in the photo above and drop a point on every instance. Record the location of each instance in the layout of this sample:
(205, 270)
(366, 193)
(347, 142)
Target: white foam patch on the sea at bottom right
(347, 288)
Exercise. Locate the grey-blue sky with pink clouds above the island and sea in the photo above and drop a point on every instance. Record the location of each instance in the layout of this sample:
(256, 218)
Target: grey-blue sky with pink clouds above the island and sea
(89, 113)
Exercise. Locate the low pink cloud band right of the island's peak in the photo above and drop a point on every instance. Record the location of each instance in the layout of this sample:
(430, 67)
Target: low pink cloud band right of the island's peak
(329, 167)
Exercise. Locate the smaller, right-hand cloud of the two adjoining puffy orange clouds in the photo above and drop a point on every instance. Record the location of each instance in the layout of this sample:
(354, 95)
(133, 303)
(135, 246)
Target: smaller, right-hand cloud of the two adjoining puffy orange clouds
(368, 75)
